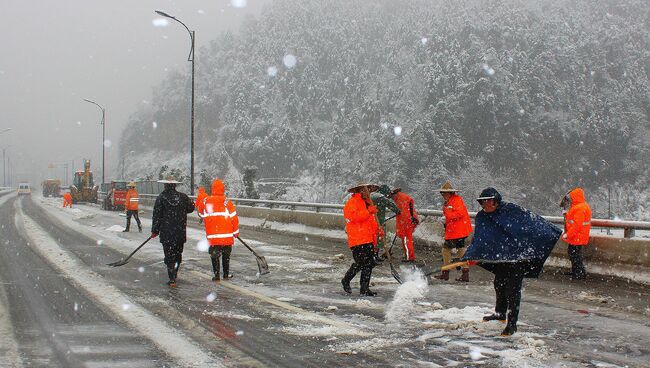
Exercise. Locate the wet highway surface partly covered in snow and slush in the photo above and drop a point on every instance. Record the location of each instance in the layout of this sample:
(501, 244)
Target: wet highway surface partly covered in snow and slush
(61, 306)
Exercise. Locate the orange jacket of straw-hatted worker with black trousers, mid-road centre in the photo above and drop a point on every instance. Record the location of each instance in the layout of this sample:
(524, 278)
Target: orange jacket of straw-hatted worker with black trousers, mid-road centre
(360, 221)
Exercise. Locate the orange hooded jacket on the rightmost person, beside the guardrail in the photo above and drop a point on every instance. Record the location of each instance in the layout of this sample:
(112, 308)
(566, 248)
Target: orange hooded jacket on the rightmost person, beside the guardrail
(578, 219)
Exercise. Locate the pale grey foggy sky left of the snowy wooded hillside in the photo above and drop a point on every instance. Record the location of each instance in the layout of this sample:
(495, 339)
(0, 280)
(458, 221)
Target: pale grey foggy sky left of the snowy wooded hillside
(56, 53)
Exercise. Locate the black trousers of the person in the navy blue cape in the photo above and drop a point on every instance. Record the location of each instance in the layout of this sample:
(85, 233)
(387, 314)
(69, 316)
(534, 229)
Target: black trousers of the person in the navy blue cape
(508, 279)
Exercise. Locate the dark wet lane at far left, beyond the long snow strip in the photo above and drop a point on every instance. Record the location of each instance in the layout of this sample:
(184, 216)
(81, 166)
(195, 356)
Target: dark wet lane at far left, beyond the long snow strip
(54, 324)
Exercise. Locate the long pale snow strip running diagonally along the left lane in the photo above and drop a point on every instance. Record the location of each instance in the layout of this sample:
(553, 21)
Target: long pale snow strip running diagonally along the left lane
(168, 339)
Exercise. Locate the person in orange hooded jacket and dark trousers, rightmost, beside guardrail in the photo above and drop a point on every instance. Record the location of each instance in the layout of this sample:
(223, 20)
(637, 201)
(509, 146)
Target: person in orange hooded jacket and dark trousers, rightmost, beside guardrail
(577, 225)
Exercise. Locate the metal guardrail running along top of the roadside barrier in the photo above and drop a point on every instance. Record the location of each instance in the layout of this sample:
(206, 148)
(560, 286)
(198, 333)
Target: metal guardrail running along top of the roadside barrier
(628, 226)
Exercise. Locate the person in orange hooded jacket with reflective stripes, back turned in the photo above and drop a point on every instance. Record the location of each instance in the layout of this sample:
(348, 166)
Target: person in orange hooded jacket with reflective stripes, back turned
(221, 228)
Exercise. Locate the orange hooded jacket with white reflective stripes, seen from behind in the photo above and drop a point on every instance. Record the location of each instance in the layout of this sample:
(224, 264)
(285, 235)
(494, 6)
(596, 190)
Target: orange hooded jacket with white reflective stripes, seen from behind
(220, 217)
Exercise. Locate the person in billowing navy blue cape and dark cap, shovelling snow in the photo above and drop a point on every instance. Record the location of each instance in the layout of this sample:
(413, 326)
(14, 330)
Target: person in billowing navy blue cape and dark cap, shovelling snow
(512, 243)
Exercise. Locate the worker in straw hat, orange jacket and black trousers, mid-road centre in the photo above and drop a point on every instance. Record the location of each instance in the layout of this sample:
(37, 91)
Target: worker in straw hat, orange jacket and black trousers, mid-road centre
(363, 229)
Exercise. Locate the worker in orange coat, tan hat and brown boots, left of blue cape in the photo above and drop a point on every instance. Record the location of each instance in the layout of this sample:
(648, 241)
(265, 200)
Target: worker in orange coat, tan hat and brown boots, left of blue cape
(458, 226)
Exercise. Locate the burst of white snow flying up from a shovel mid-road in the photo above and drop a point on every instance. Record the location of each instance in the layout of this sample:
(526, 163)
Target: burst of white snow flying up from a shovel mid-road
(404, 301)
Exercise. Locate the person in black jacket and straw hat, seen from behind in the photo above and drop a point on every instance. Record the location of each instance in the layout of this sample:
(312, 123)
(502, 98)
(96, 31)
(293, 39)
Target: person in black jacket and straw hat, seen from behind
(170, 222)
